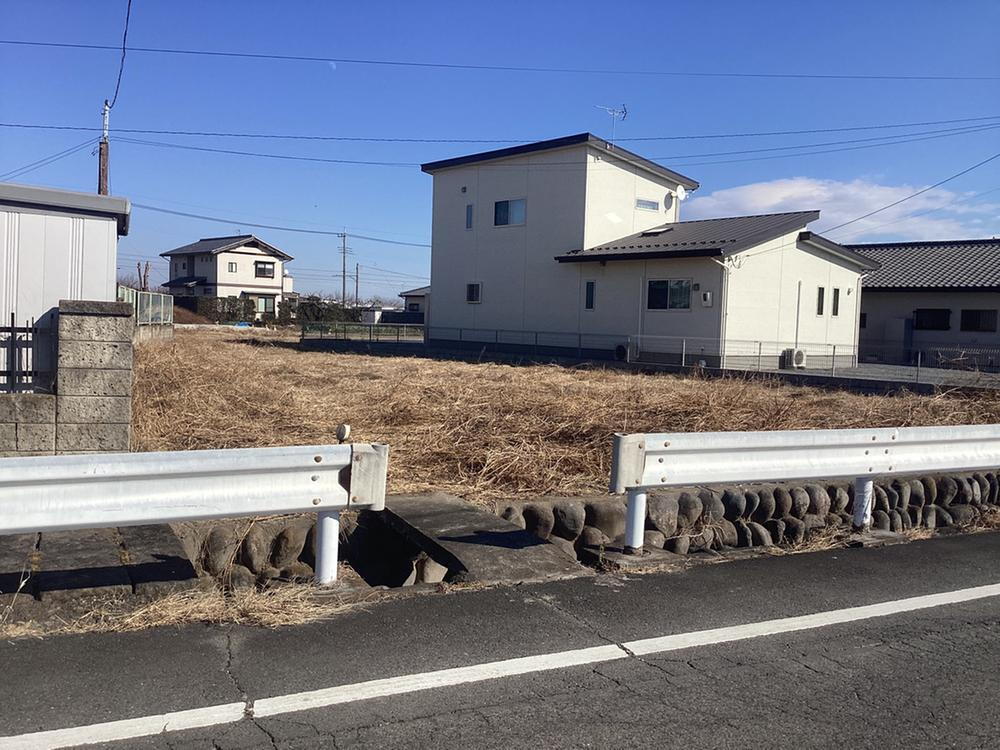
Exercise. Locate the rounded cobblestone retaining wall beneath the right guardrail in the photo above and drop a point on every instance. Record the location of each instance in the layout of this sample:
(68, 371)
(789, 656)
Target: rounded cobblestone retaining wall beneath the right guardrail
(693, 519)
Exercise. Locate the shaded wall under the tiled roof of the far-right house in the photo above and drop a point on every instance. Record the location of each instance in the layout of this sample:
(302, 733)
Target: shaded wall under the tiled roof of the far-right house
(887, 314)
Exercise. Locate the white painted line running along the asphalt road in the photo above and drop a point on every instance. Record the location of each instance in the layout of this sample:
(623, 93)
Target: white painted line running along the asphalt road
(231, 712)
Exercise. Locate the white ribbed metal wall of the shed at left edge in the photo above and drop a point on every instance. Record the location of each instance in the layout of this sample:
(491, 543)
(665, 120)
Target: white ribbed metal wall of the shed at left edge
(47, 257)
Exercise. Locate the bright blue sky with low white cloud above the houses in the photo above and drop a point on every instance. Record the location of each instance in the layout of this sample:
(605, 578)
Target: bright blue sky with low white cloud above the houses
(67, 86)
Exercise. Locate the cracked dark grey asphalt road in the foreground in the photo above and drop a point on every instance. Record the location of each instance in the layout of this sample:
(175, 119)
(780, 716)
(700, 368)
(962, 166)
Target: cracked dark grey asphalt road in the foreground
(924, 678)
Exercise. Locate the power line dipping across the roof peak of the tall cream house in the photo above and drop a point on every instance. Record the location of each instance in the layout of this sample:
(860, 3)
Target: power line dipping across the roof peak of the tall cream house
(373, 139)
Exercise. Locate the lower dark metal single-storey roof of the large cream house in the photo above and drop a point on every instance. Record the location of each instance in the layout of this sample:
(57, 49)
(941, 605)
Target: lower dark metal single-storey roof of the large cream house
(701, 238)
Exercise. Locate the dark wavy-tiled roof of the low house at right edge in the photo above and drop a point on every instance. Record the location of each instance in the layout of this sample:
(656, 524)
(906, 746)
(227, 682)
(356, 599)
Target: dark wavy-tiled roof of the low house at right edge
(947, 264)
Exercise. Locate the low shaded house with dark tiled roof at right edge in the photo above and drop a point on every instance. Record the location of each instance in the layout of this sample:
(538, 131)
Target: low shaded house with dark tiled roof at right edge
(936, 298)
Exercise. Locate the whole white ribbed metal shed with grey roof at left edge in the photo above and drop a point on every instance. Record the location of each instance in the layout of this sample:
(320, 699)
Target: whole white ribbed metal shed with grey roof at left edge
(56, 244)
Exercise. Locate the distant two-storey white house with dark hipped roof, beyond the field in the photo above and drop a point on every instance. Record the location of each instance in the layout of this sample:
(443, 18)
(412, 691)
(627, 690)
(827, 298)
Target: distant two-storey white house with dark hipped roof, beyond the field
(235, 266)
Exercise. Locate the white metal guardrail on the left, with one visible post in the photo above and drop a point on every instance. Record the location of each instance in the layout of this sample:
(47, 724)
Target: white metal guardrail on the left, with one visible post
(55, 493)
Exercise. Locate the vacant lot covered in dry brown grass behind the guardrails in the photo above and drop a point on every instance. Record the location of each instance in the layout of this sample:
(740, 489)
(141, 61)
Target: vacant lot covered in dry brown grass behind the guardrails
(482, 431)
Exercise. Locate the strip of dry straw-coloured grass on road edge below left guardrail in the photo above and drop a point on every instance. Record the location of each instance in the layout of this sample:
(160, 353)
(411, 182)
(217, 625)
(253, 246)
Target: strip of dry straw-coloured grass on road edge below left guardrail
(274, 607)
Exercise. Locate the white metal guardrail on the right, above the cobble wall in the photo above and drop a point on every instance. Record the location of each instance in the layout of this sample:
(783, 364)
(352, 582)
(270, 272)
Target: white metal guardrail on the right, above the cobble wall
(643, 461)
